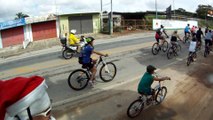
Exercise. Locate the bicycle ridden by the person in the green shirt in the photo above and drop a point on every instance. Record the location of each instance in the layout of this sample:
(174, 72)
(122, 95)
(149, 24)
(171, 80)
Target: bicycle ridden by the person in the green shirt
(143, 101)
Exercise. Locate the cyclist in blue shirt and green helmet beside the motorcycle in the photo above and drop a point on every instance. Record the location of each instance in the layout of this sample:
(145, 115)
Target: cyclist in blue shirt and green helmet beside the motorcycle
(87, 61)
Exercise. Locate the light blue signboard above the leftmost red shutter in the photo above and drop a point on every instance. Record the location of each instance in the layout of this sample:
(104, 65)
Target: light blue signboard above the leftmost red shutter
(12, 23)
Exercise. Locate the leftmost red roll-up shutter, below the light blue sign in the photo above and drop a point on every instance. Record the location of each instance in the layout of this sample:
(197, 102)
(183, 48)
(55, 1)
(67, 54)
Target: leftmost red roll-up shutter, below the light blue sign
(13, 36)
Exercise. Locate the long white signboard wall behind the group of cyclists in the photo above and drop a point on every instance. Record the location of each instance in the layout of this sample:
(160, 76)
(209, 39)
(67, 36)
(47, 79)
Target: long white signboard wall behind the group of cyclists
(172, 24)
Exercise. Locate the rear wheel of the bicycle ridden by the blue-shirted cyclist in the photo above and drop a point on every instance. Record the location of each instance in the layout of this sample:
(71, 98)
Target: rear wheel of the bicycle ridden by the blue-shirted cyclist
(78, 79)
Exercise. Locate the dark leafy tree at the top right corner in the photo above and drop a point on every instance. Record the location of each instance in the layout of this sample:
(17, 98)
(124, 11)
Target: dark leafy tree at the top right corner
(202, 10)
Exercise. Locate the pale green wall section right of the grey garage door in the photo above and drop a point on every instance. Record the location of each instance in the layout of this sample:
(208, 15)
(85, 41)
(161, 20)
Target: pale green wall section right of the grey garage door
(96, 24)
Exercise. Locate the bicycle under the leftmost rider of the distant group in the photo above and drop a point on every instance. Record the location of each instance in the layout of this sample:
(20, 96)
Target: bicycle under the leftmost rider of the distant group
(156, 47)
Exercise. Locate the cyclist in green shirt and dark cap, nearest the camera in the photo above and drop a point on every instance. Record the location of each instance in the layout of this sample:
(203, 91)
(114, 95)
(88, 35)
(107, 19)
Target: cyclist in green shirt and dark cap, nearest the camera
(144, 87)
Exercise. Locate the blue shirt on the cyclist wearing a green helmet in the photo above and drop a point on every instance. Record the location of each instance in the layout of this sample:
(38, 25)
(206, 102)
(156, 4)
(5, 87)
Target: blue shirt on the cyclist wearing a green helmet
(87, 52)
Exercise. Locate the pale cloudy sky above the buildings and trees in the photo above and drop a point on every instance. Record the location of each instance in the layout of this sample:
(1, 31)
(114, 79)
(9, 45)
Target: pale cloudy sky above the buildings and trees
(9, 8)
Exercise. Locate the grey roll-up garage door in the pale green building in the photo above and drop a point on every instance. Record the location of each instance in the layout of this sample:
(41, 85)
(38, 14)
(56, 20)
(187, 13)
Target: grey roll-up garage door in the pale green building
(83, 24)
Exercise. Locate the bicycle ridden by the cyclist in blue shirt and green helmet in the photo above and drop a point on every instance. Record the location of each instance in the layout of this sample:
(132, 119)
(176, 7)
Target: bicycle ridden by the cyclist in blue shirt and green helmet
(79, 78)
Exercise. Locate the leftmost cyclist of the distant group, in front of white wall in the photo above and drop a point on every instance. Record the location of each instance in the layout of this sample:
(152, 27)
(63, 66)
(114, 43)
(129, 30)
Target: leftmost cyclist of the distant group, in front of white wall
(159, 34)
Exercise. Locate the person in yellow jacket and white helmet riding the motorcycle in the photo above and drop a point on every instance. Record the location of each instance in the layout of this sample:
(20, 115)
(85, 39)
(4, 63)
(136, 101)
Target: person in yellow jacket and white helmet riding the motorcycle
(74, 41)
